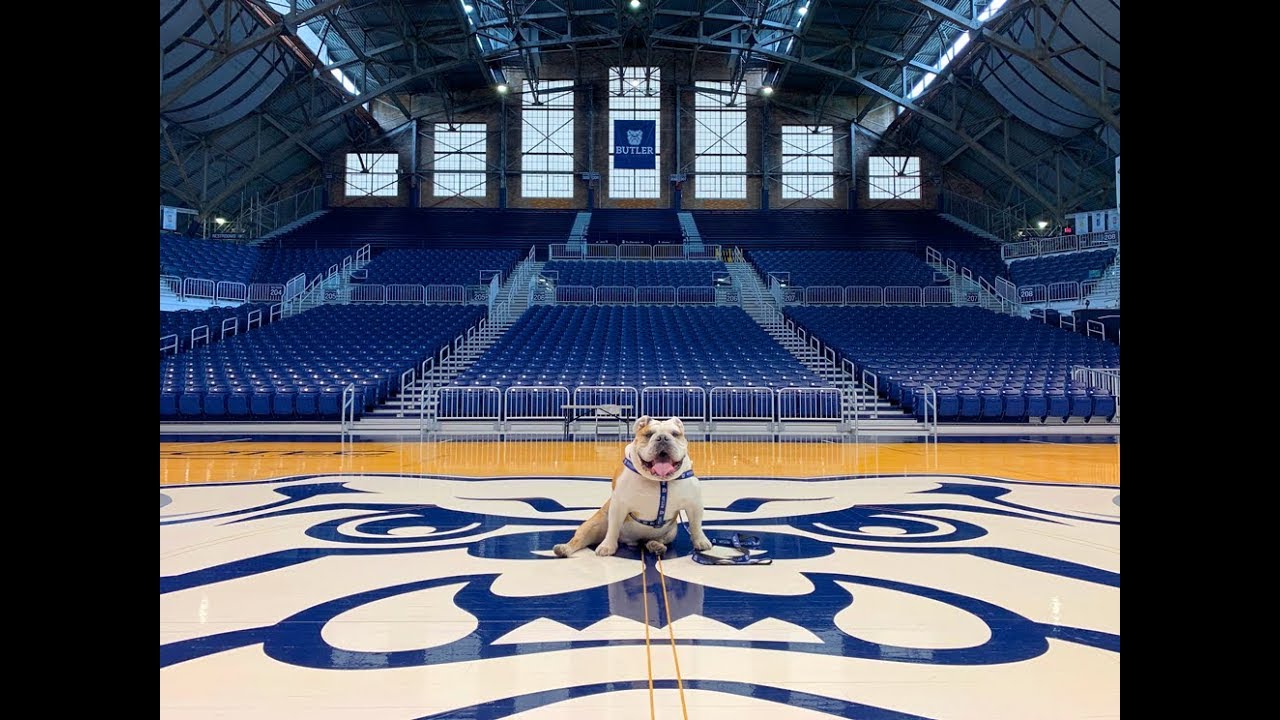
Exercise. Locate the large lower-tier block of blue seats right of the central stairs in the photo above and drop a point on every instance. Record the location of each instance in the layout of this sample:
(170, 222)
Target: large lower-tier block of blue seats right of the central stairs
(984, 366)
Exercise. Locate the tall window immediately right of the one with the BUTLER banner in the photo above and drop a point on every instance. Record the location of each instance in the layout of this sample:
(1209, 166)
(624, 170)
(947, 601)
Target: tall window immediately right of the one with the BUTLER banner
(720, 143)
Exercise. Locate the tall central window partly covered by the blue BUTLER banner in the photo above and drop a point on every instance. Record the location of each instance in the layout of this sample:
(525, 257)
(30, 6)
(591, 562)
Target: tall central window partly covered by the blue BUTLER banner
(634, 95)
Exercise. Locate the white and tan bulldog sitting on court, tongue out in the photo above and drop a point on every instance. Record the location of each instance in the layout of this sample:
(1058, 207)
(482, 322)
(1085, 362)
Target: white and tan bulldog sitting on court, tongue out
(656, 485)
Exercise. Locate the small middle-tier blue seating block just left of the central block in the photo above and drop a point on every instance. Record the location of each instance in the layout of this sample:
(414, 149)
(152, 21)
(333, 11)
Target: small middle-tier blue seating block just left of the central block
(440, 267)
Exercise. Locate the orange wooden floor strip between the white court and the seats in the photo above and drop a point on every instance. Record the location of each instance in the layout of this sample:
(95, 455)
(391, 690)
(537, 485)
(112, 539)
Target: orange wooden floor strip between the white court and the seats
(239, 462)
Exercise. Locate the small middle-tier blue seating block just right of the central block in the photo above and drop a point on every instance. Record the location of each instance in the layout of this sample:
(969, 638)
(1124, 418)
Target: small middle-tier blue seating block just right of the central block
(844, 267)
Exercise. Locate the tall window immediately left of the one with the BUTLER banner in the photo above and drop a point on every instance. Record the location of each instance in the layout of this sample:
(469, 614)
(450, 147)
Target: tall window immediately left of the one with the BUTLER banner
(547, 140)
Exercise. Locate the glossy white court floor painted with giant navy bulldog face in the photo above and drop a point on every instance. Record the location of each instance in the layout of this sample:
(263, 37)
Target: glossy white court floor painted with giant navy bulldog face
(428, 596)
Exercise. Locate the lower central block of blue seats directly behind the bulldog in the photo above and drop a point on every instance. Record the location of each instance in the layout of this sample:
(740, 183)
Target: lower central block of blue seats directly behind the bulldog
(639, 347)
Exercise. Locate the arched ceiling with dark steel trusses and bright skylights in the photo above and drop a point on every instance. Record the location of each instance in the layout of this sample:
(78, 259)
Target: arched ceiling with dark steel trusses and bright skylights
(1023, 97)
